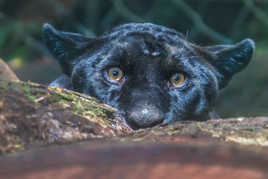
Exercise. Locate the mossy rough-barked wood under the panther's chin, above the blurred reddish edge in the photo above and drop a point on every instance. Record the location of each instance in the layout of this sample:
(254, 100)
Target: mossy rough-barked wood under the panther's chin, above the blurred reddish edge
(37, 115)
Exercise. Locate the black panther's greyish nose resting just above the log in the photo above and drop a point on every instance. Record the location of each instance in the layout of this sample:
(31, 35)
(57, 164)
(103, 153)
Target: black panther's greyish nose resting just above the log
(143, 116)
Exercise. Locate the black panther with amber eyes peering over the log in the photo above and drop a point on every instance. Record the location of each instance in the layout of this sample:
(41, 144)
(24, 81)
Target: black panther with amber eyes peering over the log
(150, 73)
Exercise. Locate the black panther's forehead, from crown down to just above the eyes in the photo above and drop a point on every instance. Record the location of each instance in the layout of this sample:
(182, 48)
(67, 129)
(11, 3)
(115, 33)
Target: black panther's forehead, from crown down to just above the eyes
(142, 44)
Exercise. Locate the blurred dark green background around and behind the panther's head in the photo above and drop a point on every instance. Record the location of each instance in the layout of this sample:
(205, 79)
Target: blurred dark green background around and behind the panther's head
(204, 22)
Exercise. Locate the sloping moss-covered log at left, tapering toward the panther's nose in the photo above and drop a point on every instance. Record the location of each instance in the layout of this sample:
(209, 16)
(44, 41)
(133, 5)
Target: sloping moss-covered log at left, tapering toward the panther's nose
(36, 115)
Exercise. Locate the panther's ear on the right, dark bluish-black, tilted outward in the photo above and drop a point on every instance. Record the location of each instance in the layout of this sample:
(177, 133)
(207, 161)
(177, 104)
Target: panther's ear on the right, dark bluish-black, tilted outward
(230, 59)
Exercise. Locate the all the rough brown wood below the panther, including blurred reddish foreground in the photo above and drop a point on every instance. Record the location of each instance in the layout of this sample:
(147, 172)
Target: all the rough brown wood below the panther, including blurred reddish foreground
(38, 119)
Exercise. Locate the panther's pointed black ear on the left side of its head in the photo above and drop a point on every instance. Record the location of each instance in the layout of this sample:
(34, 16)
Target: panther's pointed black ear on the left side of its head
(66, 47)
